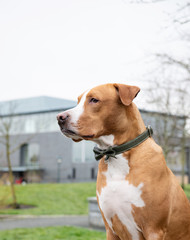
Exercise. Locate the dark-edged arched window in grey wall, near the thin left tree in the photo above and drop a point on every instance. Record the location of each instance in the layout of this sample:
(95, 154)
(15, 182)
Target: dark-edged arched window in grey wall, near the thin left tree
(29, 155)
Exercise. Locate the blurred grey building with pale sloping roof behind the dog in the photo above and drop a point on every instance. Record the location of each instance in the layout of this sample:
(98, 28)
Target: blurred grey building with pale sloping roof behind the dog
(40, 151)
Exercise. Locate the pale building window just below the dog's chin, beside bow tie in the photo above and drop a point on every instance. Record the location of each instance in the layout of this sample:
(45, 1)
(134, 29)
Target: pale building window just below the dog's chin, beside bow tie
(83, 152)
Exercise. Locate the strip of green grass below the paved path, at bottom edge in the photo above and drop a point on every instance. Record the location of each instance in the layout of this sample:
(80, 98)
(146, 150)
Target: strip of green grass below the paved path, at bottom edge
(52, 233)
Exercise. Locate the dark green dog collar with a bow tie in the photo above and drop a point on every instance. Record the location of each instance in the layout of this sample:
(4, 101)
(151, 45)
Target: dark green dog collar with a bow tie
(115, 150)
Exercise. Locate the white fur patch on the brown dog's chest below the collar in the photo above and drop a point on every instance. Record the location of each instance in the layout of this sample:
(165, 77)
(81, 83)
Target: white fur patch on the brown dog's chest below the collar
(118, 195)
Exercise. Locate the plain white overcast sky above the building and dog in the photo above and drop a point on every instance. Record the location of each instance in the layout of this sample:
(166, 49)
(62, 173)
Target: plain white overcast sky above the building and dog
(61, 48)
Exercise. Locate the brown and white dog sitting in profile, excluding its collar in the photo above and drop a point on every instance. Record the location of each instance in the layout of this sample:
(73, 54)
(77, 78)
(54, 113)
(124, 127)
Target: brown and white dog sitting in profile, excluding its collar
(138, 196)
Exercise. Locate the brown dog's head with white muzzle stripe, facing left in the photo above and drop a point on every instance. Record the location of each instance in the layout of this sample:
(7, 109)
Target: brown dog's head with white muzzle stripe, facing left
(100, 111)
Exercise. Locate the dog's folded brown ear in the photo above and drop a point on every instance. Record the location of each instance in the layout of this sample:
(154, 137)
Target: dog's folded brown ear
(126, 93)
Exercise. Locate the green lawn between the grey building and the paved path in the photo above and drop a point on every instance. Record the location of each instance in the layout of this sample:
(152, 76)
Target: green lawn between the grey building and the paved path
(50, 199)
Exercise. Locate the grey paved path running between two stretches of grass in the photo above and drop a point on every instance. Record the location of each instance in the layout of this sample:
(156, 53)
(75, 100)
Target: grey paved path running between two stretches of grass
(21, 221)
